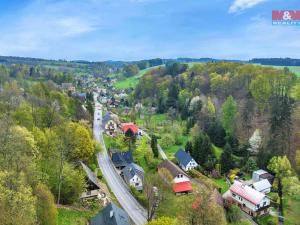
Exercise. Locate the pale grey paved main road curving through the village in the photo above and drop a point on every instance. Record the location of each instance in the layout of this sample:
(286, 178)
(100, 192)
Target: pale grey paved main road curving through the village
(136, 212)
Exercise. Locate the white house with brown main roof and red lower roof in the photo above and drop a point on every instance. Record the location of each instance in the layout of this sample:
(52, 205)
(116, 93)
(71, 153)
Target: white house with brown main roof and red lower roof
(181, 182)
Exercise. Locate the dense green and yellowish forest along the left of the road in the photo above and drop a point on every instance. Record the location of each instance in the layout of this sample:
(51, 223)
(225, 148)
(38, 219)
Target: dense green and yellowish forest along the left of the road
(44, 134)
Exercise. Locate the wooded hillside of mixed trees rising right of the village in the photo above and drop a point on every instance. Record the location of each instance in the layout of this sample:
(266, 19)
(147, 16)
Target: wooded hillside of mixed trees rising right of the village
(234, 97)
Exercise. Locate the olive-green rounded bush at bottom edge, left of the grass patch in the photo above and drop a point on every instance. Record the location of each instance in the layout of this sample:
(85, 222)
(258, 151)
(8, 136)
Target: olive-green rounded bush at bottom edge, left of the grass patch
(46, 208)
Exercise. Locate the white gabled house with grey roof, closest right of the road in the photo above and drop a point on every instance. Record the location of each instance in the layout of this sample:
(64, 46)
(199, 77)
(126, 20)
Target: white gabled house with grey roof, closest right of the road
(133, 175)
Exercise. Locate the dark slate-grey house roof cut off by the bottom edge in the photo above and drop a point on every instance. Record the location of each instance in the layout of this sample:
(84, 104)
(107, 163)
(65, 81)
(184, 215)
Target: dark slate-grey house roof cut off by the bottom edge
(111, 215)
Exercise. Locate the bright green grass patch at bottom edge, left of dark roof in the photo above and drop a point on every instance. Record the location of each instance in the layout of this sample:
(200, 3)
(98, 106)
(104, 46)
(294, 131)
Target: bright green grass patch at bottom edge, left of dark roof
(73, 217)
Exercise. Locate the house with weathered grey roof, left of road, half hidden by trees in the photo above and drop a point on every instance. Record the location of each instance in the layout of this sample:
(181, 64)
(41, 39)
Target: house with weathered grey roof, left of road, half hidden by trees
(93, 186)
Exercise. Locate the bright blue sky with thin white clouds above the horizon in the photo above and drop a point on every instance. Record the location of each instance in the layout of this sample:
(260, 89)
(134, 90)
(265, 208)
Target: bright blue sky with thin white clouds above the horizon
(138, 29)
